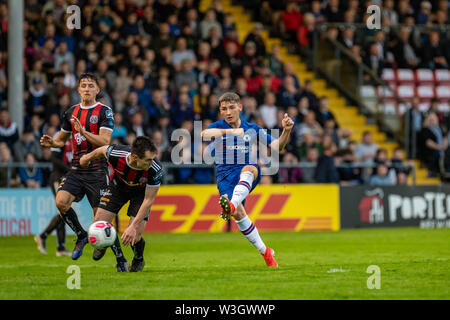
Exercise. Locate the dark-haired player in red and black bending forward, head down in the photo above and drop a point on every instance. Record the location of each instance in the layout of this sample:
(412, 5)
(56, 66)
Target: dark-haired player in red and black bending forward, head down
(137, 177)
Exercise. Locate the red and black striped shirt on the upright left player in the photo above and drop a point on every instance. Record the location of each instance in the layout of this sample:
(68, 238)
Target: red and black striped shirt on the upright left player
(92, 118)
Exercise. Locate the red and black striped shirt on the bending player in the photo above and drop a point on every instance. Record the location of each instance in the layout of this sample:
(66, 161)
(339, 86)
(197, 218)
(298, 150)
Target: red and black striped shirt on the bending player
(127, 176)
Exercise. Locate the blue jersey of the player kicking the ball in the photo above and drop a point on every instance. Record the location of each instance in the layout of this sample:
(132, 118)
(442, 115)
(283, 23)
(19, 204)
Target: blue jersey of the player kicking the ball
(232, 153)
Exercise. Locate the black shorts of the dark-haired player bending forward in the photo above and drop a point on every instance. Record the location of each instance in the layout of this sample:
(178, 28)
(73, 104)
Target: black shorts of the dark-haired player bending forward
(115, 197)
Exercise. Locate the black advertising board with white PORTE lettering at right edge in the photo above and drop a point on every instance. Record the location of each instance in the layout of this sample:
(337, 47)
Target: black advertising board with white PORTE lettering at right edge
(396, 206)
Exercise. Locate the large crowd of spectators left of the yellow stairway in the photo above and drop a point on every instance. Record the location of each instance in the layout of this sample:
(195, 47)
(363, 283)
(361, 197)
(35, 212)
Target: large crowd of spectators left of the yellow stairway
(161, 65)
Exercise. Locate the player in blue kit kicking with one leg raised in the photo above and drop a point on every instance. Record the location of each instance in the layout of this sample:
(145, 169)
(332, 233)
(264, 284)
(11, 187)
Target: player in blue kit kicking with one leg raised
(236, 173)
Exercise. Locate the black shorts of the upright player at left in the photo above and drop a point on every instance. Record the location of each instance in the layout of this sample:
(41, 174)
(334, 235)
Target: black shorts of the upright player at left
(91, 184)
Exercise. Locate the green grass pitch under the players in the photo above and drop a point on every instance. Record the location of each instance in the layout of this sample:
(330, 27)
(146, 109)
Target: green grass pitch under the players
(414, 264)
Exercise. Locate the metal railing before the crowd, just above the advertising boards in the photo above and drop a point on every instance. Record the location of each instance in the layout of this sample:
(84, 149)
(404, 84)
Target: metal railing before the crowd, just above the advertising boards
(168, 177)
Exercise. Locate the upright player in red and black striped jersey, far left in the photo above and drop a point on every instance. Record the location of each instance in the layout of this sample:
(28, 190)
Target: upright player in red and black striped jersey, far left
(90, 124)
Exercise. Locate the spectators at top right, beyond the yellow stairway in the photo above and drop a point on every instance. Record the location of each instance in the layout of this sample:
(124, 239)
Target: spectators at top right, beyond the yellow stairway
(398, 44)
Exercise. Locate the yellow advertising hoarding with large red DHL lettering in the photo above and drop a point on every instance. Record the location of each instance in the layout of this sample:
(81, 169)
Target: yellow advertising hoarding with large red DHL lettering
(189, 208)
